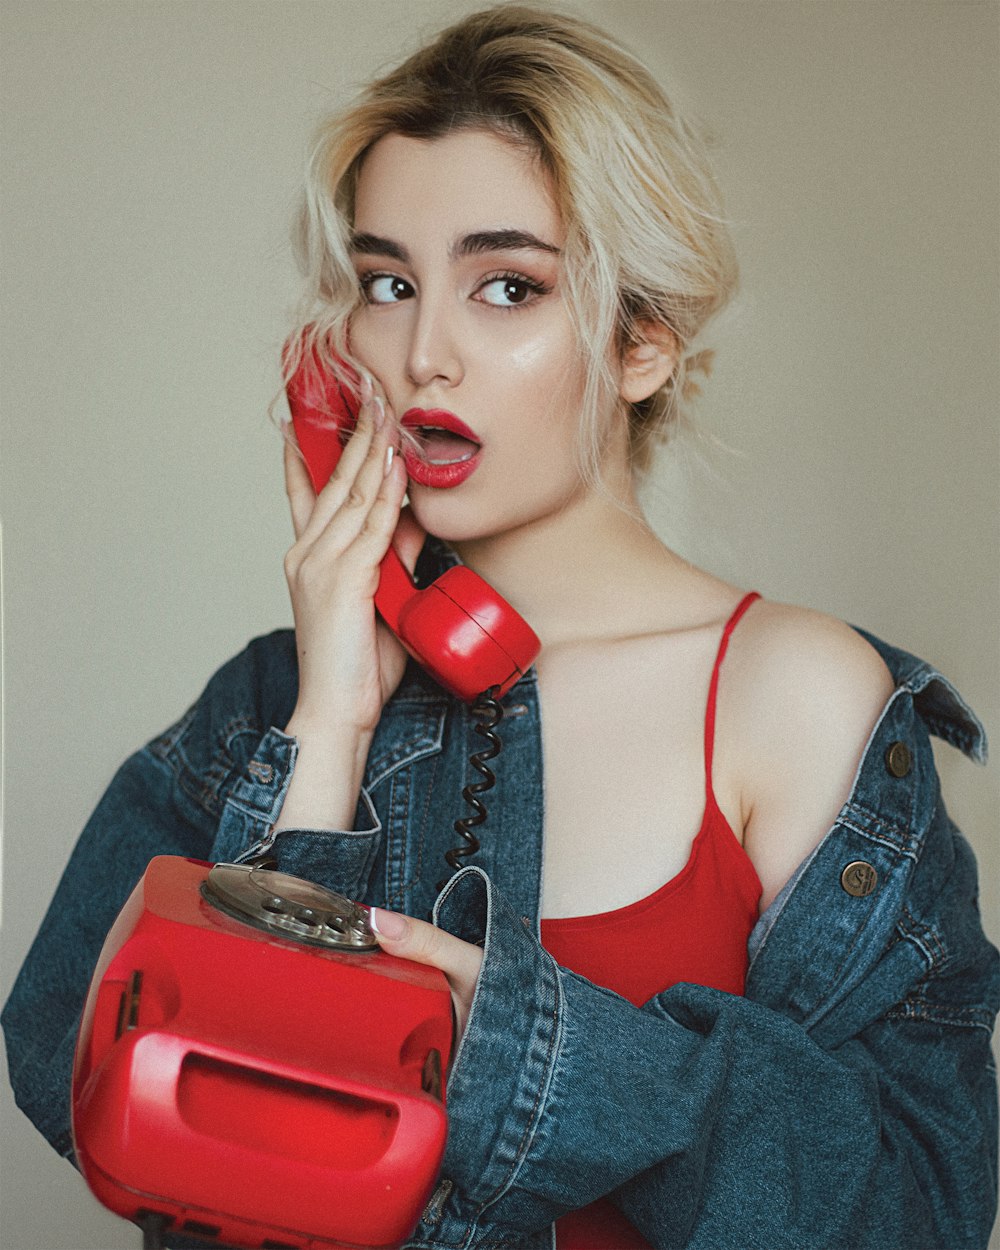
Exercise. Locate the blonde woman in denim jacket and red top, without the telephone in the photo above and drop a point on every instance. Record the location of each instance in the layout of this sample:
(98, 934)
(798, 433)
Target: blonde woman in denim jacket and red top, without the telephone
(516, 242)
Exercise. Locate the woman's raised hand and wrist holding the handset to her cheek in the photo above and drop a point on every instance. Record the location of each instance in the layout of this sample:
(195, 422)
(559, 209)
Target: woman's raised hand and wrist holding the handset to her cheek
(349, 663)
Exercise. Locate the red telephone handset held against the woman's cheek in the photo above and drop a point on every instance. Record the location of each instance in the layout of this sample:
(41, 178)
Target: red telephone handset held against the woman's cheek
(459, 629)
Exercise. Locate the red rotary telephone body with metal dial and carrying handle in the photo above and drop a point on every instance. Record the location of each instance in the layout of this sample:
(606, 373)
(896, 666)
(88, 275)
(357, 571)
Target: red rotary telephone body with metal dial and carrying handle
(253, 1071)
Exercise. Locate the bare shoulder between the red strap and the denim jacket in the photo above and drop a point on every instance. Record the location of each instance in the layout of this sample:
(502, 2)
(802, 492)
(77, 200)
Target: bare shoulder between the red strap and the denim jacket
(803, 693)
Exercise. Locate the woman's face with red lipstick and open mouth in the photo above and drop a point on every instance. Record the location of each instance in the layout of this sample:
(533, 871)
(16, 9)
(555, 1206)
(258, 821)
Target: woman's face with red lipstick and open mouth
(458, 249)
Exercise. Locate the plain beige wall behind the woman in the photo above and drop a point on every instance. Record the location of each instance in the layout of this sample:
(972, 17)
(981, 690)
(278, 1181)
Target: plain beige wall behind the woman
(152, 152)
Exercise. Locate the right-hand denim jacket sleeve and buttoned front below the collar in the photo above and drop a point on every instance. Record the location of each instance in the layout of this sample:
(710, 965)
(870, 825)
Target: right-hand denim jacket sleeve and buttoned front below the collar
(847, 1102)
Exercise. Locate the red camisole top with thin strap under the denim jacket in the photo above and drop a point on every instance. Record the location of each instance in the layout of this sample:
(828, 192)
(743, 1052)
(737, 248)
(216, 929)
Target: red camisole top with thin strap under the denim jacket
(693, 929)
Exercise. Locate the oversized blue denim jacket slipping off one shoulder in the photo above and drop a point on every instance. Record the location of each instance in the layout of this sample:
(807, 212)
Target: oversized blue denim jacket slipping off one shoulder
(847, 1102)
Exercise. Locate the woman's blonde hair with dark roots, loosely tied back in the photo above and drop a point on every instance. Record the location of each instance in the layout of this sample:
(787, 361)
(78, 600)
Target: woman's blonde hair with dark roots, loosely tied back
(647, 241)
